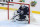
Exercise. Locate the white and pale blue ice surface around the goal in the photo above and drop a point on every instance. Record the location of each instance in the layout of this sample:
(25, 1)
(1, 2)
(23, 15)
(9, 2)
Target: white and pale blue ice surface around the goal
(4, 22)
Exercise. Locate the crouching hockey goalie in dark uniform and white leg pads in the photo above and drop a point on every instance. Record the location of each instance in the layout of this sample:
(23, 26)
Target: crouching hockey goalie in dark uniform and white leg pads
(22, 14)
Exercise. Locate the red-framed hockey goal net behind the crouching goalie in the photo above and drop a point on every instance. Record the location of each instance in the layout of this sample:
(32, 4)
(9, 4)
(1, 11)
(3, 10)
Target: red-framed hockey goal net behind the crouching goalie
(13, 6)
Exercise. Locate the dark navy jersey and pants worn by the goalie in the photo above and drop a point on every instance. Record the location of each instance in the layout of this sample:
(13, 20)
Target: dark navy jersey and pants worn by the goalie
(25, 12)
